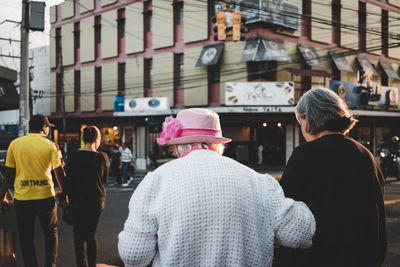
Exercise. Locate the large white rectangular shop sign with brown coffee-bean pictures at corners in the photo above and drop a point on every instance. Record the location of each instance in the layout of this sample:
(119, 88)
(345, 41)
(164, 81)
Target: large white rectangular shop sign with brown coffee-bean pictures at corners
(259, 93)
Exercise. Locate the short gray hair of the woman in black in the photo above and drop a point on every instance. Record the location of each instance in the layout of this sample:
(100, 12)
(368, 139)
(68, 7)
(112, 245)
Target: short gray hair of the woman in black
(325, 111)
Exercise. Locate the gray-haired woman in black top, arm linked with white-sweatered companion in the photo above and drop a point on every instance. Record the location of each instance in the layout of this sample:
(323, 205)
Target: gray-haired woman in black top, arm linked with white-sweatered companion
(340, 181)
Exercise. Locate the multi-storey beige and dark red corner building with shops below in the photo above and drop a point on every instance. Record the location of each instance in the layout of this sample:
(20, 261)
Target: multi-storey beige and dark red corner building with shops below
(125, 64)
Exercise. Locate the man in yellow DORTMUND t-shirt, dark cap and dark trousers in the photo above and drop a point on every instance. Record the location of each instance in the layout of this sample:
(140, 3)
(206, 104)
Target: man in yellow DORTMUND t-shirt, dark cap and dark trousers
(29, 162)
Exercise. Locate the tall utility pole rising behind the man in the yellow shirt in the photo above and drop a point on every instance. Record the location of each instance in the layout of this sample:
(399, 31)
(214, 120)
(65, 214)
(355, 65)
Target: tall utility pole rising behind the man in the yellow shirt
(24, 71)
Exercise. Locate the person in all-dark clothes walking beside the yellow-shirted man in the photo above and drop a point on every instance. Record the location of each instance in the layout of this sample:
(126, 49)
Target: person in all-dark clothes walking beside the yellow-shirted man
(87, 173)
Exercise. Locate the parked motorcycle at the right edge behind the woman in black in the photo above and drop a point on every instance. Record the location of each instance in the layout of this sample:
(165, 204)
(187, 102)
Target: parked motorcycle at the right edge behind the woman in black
(390, 159)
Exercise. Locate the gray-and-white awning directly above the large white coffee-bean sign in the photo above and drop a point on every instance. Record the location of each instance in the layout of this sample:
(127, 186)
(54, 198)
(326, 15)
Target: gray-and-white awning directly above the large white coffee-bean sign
(259, 49)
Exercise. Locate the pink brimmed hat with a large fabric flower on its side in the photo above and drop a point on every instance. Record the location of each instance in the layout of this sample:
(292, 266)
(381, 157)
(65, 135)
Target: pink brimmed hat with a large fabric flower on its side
(195, 125)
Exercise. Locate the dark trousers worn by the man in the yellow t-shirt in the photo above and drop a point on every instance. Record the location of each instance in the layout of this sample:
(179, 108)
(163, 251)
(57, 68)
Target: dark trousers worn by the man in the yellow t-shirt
(26, 212)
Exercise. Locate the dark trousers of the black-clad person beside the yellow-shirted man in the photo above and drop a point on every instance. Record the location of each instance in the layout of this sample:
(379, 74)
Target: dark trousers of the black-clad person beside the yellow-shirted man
(85, 229)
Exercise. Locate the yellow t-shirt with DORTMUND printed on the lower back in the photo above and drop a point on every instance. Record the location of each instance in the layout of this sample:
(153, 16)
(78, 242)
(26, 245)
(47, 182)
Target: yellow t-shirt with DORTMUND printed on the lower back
(33, 156)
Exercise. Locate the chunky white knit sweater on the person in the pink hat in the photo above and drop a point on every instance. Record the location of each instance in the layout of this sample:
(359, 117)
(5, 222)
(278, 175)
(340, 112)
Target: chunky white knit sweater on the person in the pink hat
(208, 210)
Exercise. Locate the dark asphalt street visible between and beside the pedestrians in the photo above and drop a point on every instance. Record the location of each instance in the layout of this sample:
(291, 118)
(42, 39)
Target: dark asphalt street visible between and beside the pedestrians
(117, 209)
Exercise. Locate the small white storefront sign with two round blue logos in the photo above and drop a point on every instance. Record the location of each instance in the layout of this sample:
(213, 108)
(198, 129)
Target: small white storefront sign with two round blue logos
(146, 104)
